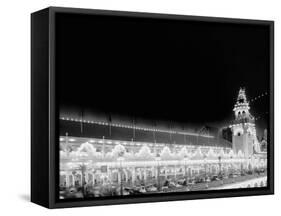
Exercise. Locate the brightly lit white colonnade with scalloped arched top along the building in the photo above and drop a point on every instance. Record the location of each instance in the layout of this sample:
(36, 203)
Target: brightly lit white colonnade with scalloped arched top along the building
(143, 166)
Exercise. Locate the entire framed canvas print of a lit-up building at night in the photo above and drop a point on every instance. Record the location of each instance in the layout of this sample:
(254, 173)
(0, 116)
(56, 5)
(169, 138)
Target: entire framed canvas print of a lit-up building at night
(140, 107)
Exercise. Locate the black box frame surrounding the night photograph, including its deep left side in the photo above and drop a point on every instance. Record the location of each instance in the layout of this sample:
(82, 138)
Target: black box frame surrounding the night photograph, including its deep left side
(44, 113)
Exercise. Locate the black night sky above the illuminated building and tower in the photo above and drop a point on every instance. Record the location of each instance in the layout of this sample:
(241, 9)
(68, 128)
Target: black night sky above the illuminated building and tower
(180, 71)
